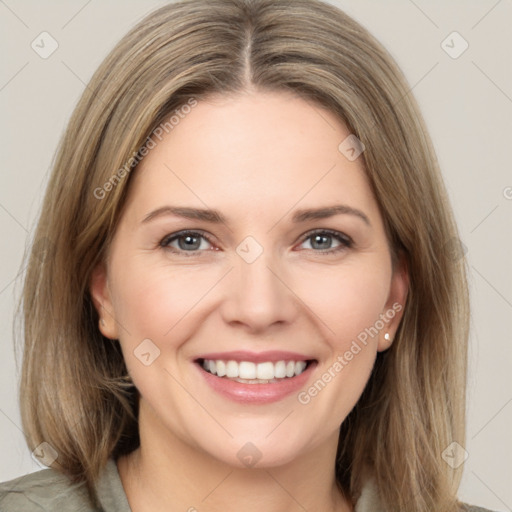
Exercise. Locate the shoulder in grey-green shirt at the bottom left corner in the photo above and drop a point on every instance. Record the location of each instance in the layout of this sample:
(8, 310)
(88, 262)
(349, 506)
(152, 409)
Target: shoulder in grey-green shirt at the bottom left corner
(44, 491)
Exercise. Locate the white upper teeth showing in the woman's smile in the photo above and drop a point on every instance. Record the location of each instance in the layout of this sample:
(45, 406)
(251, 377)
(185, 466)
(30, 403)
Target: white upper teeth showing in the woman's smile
(247, 371)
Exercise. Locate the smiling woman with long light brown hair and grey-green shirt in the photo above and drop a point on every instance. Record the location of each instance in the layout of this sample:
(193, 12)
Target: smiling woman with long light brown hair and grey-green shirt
(243, 292)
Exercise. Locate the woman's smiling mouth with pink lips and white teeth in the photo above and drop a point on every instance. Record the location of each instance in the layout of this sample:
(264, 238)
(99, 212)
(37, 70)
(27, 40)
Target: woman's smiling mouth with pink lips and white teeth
(255, 378)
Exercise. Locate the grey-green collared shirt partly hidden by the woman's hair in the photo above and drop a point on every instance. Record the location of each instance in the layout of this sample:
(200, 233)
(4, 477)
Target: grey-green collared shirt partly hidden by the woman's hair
(50, 491)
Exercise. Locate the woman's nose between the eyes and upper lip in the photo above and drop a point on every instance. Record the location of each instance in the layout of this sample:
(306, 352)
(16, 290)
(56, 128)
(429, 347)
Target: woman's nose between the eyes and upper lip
(259, 295)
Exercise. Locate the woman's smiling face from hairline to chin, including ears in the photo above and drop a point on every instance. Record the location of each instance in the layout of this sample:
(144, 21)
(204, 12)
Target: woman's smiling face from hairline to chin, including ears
(251, 244)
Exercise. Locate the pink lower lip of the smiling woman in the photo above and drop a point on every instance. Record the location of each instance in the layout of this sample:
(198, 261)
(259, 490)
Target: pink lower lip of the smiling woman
(257, 393)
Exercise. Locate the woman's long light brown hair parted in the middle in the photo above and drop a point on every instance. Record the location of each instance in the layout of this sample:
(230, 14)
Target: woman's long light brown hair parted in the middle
(74, 390)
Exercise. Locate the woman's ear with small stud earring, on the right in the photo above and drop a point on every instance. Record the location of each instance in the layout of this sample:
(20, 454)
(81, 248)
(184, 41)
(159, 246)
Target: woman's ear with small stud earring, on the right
(395, 305)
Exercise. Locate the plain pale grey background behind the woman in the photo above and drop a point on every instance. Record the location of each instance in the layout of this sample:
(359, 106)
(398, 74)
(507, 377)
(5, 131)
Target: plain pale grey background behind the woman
(467, 104)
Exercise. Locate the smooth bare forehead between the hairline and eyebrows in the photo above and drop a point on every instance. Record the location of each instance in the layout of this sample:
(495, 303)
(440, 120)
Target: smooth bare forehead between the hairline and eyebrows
(251, 152)
